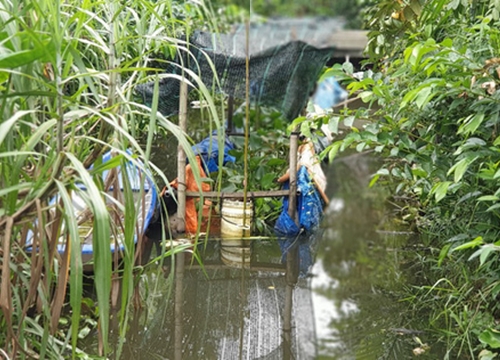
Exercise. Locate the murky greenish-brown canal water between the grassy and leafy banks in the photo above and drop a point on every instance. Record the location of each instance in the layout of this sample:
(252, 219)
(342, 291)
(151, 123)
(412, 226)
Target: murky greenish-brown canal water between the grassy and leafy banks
(348, 307)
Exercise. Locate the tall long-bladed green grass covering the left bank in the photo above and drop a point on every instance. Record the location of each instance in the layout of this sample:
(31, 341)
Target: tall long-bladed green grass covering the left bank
(67, 76)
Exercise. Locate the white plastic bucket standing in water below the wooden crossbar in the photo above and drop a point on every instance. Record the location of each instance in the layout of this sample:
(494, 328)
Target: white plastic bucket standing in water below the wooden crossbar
(236, 219)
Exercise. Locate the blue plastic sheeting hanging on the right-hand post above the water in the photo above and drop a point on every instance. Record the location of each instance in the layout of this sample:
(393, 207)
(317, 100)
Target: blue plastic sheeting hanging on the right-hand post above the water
(309, 211)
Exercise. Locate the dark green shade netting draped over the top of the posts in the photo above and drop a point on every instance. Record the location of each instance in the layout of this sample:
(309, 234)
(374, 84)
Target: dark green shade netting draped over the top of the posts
(285, 57)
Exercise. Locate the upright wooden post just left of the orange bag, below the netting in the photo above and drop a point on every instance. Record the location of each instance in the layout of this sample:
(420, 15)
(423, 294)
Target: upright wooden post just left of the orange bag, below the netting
(181, 158)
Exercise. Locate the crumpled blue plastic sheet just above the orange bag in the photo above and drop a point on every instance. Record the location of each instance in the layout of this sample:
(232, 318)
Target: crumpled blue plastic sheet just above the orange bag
(208, 149)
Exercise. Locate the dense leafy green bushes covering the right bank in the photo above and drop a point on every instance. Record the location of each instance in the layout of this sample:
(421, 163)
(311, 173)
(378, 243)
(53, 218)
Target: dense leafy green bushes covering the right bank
(433, 92)
